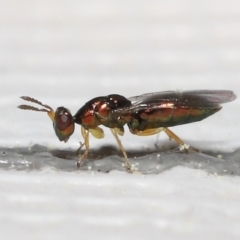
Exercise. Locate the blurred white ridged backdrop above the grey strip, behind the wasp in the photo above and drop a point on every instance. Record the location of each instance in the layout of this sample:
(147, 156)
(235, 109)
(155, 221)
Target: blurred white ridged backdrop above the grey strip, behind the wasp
(65, 53)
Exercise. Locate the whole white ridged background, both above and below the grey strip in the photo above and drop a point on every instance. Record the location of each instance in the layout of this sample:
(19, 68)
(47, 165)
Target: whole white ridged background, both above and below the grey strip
(67, 52)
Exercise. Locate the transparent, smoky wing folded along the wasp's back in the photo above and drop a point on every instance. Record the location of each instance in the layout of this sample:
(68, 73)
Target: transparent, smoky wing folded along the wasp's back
(177, 99)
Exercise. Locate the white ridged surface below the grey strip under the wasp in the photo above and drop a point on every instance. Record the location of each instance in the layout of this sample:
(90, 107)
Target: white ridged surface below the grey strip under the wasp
(180, 204)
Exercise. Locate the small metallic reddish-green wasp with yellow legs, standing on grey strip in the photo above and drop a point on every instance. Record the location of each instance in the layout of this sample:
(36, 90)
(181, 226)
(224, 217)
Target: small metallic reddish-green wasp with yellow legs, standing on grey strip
(144, 115)
